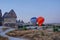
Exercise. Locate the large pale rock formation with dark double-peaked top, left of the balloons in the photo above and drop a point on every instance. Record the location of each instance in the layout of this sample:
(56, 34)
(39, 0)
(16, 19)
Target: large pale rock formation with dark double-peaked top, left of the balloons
(9, 19)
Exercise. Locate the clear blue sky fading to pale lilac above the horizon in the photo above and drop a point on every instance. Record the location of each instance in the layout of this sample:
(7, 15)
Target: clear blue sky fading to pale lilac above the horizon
(26, 9)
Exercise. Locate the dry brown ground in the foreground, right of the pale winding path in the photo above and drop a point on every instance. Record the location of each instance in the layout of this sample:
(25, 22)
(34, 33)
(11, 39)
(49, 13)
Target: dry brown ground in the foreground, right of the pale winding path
(35, 34)
